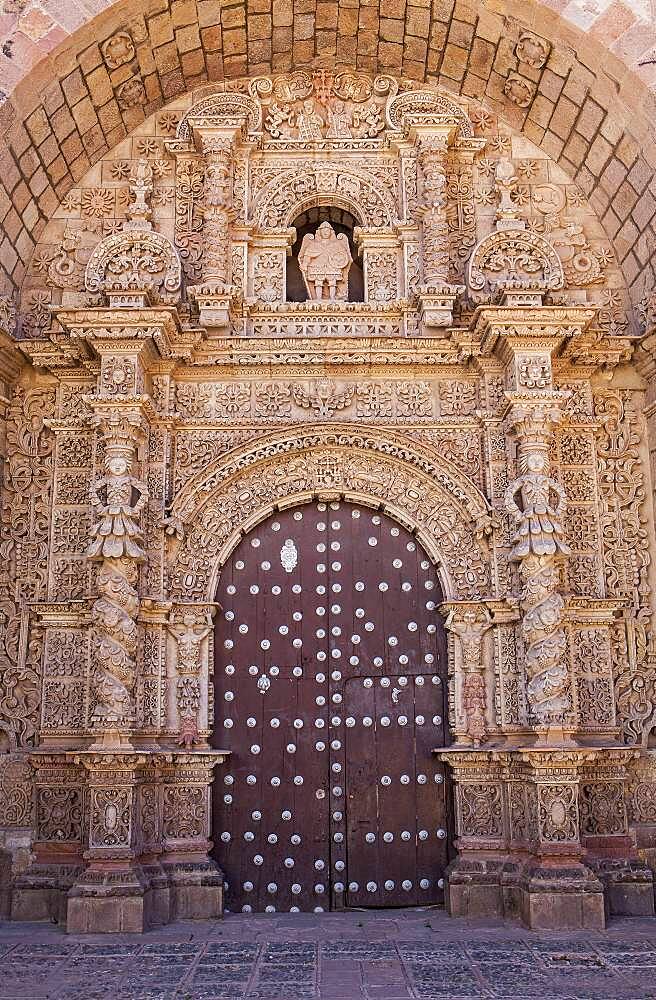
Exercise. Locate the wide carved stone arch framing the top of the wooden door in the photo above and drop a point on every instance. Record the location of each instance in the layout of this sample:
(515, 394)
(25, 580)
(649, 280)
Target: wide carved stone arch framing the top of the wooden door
(422, 491)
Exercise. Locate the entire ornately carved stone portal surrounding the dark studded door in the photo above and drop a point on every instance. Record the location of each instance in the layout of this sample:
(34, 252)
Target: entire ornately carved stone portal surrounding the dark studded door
(490, 391)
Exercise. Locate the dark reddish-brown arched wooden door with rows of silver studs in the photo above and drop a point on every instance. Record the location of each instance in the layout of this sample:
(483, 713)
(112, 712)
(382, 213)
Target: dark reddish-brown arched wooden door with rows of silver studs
(331, 693)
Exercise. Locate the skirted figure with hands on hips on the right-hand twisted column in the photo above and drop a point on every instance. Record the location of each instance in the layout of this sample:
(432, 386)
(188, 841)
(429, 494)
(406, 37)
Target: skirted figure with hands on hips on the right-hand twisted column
(538, 515)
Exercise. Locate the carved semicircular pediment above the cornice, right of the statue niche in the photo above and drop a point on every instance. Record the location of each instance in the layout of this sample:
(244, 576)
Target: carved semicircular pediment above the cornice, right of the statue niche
(513, 260)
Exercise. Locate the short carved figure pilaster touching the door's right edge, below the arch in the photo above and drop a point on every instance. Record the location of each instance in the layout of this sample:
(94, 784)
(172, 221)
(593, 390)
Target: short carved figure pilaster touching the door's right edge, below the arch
(469, 623)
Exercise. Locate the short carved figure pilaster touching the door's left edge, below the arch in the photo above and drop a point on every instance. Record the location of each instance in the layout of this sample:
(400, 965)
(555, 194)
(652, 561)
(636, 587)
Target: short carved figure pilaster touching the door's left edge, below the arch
(189, 652)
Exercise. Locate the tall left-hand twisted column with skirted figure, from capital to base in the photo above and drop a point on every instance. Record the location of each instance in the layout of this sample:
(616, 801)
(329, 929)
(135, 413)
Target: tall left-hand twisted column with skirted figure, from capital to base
(116, 544)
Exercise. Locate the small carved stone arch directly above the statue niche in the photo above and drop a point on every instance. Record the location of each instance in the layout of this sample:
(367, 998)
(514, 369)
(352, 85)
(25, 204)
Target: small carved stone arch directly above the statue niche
(293, 191)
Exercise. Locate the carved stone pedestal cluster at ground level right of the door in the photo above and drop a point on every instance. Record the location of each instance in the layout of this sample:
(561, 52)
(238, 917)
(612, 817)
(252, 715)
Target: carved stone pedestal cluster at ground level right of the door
(542, 837)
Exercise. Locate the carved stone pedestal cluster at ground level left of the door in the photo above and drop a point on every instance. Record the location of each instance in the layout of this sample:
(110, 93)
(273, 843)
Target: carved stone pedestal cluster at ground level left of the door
(123, 841)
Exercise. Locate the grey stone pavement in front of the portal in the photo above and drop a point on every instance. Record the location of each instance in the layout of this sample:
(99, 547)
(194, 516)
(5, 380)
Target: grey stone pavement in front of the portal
(388, 955)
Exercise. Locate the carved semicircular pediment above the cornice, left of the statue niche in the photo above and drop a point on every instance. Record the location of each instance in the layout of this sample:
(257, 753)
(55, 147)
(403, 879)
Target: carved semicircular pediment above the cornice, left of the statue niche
(135, 266)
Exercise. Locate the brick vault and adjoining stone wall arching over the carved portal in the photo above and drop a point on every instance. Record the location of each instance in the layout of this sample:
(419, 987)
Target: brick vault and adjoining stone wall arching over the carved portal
(75, 79)
